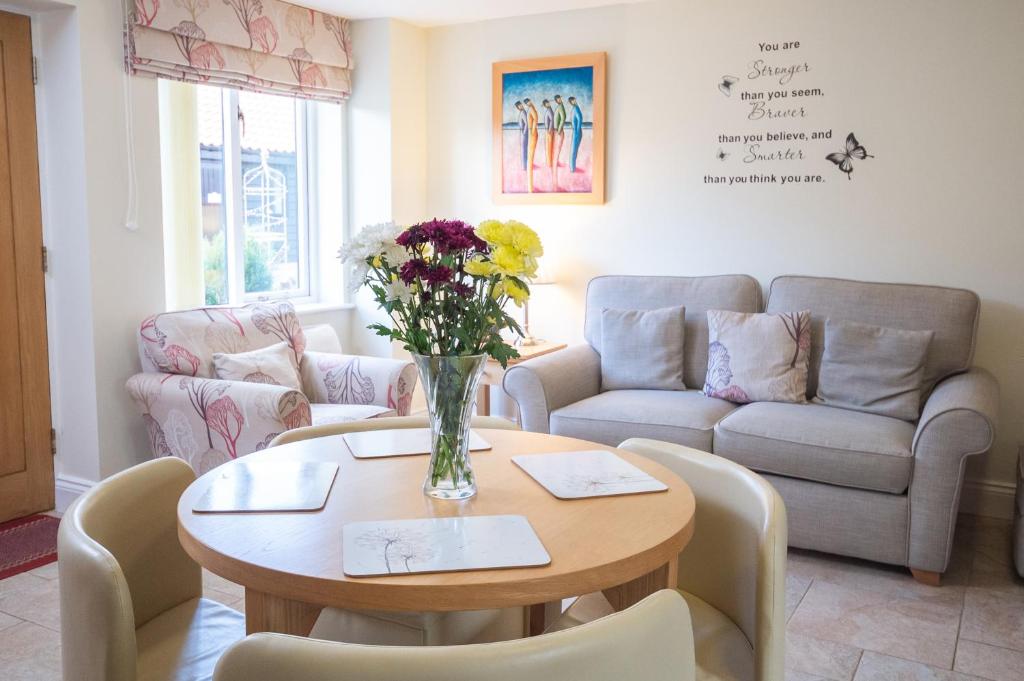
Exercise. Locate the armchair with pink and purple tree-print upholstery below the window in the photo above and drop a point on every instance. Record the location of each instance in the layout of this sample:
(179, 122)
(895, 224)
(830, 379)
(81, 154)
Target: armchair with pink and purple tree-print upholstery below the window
(192, 414)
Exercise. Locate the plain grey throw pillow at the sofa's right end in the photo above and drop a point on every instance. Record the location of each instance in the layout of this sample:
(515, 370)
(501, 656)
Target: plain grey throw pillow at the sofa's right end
(874, 369)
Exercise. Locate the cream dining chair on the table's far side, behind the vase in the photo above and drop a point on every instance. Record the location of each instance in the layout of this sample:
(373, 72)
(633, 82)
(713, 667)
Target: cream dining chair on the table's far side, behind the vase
(381, 628)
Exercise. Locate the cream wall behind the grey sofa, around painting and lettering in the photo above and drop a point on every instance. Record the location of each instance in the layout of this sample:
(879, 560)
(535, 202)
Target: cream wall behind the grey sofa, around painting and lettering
(931, 88)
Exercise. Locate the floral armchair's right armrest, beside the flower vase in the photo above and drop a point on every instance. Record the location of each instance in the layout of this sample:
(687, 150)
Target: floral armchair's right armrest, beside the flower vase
(346, 379)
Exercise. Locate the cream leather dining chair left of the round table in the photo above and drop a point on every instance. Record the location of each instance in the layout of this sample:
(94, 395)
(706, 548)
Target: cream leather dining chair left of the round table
(132, 607)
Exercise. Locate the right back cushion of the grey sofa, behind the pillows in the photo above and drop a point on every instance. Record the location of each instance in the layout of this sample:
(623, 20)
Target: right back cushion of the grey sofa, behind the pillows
(952, 314)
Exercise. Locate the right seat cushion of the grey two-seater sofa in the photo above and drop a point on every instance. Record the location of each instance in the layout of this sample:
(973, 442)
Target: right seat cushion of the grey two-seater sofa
(822, 444)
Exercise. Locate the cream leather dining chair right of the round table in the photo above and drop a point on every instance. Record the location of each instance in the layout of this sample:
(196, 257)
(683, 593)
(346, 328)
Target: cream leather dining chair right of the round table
(733, 573)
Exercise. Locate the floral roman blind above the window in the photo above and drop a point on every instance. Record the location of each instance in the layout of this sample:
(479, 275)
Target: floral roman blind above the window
(264, 46)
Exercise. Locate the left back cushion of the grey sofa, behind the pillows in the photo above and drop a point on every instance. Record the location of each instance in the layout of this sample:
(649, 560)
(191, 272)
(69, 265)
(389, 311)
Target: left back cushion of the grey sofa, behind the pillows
(699, 294)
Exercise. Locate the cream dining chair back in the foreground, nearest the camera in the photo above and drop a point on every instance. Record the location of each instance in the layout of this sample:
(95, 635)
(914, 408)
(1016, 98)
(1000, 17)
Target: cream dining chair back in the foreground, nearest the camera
(652, 642)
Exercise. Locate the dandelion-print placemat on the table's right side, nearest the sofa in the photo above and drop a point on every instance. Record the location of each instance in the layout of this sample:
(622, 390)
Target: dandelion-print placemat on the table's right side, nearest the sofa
(586, 475)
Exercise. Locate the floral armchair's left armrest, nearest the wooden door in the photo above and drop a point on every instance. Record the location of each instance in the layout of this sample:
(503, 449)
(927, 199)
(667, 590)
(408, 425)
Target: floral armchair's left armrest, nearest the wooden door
(207, 422)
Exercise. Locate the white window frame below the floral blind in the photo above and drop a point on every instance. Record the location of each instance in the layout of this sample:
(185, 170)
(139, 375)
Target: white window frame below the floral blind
(234, 207)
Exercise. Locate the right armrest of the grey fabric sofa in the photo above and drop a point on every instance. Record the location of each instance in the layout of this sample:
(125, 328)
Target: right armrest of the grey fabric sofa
(959, 421)
